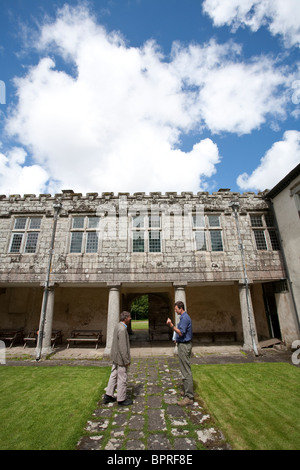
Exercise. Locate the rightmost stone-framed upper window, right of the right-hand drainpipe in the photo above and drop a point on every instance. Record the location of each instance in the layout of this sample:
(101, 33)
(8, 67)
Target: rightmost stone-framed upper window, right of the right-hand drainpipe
(265, 235)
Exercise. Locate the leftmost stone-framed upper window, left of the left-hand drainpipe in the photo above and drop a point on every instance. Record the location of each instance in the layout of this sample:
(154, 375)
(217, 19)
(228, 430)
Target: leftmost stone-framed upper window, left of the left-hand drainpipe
(25, 231)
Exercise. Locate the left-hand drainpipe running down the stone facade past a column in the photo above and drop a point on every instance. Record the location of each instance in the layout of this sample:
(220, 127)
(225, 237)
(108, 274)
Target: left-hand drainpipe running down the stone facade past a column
(57, 207)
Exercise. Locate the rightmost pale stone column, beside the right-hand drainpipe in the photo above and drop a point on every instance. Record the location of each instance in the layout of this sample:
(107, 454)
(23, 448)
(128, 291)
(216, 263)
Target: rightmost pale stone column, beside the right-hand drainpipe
(248, 321)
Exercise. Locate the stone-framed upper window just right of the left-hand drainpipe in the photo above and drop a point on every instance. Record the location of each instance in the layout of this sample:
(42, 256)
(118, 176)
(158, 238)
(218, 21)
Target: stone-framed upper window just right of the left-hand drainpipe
(84, 230)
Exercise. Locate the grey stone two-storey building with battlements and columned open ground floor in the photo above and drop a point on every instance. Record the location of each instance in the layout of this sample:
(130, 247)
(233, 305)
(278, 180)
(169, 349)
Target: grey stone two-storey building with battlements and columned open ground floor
(219, 253)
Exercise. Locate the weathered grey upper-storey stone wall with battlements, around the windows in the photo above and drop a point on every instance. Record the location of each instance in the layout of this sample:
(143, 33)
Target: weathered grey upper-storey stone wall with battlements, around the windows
(115, 262)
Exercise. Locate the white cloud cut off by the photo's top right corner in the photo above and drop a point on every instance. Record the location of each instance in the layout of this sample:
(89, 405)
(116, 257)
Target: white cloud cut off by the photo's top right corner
(280, 16)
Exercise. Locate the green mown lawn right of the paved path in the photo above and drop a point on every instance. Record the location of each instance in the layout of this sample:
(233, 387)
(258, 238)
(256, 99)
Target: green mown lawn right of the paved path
(255, 405)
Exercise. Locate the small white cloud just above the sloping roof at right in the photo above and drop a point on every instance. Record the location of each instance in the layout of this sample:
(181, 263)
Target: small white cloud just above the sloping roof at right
(278, 161)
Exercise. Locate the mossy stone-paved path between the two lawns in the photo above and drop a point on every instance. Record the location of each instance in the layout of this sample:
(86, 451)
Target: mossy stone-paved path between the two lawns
(154, 421)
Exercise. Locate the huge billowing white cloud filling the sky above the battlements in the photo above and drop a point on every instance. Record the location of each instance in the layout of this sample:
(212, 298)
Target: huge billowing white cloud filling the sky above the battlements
(113, 119)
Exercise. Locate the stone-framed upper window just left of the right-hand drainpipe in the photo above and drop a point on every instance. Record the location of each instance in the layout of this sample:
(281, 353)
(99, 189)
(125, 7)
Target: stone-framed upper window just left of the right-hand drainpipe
(207, 229)
